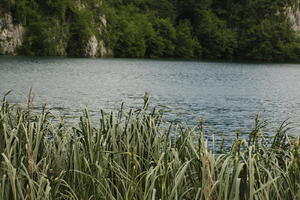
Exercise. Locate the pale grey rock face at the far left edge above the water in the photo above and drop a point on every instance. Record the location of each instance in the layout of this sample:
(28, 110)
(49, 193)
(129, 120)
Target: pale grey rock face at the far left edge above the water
(11, 35)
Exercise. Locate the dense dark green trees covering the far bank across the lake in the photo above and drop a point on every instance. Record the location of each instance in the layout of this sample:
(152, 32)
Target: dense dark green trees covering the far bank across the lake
(211, 29)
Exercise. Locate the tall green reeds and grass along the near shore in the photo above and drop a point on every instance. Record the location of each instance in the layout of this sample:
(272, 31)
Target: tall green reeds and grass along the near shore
(133, 156)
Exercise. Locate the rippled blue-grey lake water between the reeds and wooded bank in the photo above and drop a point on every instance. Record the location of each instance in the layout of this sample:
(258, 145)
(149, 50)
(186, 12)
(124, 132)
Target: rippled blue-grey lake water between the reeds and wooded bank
(226, 95)
